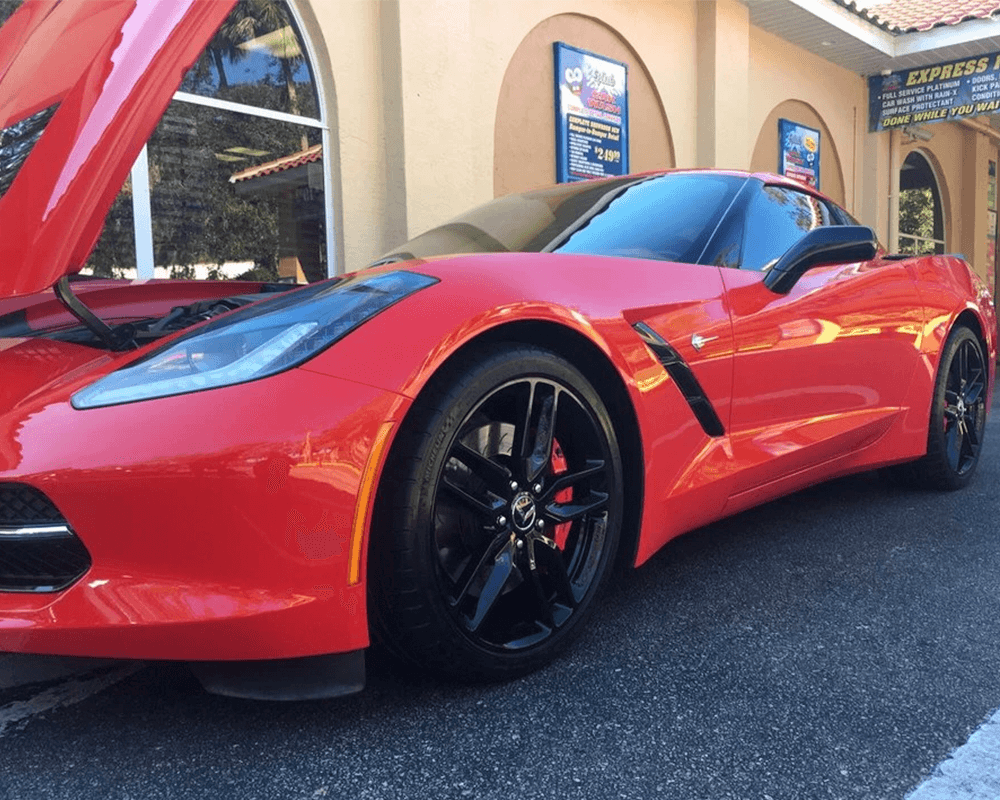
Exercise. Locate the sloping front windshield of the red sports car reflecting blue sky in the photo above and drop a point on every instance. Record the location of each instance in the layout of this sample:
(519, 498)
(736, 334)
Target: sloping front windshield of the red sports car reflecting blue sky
(666, 217)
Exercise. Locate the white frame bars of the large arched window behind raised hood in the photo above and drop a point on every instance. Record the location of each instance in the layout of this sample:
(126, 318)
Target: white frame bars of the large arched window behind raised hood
(141, 195)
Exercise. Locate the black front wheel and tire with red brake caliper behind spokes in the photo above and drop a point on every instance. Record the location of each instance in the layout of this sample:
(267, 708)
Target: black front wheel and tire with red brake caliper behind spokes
(508, 521)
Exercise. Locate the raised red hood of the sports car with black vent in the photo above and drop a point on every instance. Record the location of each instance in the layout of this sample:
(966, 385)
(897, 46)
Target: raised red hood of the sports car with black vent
(83, 84)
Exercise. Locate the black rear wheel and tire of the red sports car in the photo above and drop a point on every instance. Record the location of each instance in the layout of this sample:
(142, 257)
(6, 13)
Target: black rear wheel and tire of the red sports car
(958, 414)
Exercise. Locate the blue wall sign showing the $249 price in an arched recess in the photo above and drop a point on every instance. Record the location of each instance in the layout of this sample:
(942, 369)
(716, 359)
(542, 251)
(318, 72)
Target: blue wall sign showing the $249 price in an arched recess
(591, 115)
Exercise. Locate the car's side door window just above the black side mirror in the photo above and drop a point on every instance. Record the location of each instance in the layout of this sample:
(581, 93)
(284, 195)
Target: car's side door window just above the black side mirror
(778, 217)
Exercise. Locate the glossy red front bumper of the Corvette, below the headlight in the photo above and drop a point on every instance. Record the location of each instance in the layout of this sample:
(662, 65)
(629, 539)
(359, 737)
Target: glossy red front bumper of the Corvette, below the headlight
(218, 524)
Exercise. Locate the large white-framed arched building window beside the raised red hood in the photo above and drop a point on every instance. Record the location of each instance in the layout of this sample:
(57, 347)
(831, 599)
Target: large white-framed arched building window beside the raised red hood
(231, 183)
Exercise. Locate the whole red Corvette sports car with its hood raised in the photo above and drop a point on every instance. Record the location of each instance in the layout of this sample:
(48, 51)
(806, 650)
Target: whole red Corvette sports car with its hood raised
(450, 449)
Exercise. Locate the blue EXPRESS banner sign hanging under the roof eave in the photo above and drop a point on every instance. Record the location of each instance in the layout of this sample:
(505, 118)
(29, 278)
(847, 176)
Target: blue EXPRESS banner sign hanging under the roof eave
(952, 90)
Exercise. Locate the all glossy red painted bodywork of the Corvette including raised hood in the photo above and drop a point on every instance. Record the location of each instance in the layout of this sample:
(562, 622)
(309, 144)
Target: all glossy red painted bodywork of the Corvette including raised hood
(221, 523)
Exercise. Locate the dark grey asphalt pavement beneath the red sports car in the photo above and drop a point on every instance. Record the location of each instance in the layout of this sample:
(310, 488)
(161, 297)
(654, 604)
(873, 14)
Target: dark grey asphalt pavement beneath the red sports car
(838, 643)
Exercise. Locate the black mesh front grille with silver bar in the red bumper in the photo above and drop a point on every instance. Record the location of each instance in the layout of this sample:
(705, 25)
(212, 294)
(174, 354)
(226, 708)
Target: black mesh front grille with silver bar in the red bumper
(38, 550)
